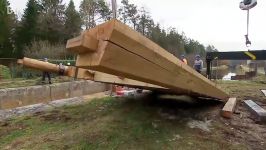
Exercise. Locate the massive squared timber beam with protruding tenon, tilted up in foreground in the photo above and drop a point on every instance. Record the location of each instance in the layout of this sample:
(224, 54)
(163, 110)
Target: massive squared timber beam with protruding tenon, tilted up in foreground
(121, 51)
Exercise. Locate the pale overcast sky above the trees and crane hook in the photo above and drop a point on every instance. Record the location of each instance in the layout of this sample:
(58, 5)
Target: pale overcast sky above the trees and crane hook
(217, 22)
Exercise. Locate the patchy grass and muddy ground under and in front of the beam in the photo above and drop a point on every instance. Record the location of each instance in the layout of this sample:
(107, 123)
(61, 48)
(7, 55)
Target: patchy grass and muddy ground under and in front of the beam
(142, 122)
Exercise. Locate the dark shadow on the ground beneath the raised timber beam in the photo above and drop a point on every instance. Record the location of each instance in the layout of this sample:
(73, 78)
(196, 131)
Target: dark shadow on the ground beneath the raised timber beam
(178, 106)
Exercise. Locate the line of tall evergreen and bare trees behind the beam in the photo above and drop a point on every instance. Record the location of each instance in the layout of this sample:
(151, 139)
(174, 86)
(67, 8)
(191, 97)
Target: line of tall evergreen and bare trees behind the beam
(46, 25)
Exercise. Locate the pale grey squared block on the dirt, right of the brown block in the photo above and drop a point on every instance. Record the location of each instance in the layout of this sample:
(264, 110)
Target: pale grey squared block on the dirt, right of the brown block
(258, 112)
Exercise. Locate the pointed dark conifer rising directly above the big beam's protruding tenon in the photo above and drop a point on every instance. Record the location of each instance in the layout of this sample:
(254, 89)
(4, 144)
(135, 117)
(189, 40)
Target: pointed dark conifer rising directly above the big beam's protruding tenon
(72, 22)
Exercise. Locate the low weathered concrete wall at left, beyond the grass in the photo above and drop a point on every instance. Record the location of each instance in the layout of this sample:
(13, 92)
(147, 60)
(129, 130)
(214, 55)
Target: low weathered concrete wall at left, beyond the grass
(16, 97)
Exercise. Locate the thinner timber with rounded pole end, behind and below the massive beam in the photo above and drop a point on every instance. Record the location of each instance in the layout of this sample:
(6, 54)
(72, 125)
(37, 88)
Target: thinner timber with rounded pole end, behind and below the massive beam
(88, 74)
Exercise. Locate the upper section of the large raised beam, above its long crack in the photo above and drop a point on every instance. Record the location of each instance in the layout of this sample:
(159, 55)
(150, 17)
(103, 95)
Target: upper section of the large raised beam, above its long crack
(116, 32)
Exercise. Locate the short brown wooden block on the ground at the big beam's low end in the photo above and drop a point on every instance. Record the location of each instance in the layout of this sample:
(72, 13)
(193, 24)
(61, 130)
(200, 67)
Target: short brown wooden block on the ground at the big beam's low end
(229, 108)
